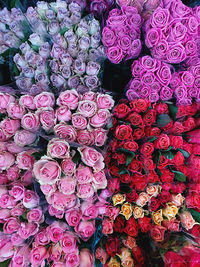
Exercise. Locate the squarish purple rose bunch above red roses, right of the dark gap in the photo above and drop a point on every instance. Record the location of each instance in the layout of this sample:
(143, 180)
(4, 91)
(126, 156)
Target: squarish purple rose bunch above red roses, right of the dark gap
(151, 80)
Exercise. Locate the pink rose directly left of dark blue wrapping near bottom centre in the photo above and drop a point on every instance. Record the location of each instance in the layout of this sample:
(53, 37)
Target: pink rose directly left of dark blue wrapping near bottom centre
(85, 229)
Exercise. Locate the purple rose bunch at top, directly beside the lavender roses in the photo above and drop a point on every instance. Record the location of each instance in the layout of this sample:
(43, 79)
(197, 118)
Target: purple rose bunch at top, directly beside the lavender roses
(121, 35)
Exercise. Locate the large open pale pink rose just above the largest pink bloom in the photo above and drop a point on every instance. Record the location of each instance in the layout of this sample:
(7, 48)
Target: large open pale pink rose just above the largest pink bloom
(58, 149)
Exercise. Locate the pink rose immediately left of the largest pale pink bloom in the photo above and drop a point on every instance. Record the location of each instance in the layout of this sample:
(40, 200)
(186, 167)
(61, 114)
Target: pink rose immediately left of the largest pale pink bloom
(24, 160)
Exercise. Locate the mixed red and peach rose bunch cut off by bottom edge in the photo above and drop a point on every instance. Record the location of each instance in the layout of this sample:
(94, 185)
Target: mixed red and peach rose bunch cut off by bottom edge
(118, 252)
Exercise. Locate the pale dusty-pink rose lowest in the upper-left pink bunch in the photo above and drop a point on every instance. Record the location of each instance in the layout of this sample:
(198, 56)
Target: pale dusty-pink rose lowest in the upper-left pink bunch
(24, 138)
